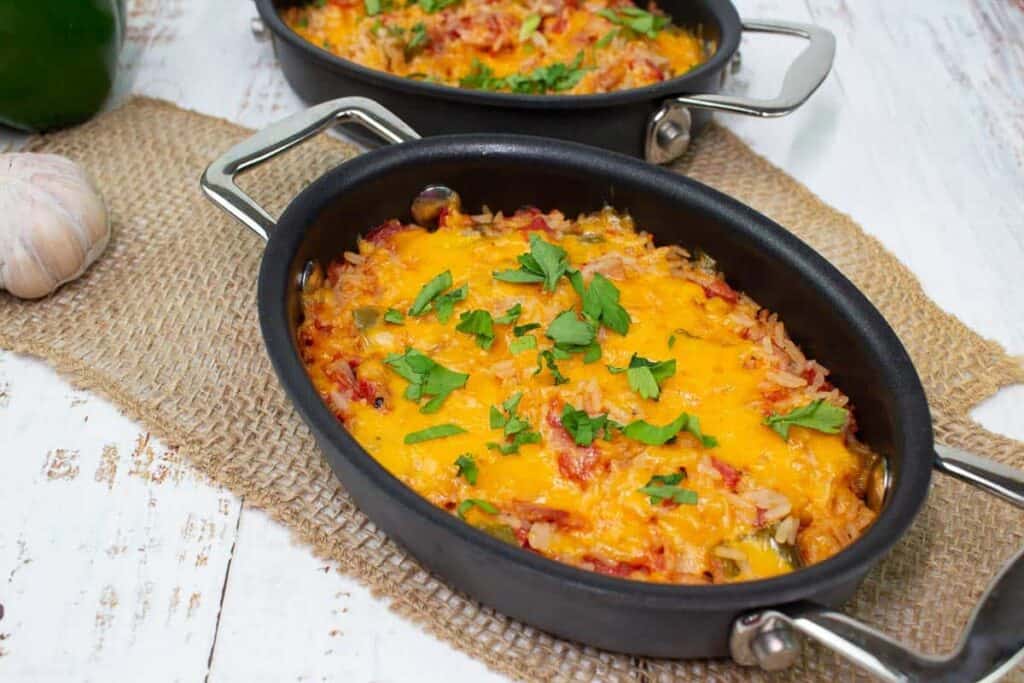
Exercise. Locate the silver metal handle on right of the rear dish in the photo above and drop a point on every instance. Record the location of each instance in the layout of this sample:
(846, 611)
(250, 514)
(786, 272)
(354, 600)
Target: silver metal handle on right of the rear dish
(669, 129)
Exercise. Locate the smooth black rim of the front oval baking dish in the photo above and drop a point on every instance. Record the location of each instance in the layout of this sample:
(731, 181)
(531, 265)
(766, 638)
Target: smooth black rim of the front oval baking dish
(916, 442)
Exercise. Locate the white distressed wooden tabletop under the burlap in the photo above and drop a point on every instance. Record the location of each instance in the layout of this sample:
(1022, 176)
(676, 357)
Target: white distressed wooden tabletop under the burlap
(119, 564)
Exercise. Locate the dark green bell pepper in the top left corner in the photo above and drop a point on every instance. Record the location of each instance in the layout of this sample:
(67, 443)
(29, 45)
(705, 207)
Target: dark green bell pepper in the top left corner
(58, 60)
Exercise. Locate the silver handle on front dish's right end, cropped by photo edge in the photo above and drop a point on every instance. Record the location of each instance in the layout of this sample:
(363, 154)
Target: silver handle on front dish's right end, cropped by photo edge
(993, 643)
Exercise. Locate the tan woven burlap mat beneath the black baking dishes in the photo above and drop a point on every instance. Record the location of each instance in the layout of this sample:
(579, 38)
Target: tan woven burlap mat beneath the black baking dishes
(165, 325)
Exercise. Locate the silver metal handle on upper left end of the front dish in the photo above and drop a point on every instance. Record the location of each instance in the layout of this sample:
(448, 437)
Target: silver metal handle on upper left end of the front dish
(219, 180)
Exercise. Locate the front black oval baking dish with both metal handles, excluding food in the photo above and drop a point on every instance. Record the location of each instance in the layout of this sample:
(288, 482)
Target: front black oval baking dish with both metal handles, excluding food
(826, 314)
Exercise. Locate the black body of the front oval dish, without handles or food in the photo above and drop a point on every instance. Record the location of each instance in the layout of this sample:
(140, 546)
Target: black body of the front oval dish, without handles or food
(825, 314)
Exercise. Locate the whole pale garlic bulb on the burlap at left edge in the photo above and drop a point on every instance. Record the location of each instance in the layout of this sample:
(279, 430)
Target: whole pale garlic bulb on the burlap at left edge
(54, 224)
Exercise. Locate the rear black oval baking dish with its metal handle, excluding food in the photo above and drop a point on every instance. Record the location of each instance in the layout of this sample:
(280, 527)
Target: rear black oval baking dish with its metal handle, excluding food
(655, 122)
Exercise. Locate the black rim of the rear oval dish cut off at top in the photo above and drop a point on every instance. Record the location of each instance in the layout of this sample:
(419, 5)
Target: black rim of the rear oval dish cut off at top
(722, 12)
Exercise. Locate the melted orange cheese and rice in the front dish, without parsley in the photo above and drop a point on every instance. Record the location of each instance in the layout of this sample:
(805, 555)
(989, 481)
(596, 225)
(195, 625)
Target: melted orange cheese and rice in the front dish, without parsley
(765, 505)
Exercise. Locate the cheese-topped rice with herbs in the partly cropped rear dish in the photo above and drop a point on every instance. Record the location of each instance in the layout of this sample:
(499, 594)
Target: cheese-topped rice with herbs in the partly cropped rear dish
(604, 46)
